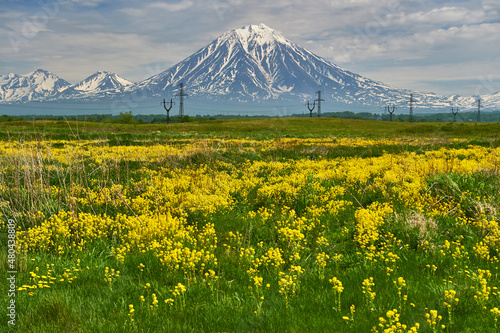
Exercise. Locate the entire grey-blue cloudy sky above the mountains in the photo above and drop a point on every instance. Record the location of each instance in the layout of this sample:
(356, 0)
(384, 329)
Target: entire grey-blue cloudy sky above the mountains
(448, 47)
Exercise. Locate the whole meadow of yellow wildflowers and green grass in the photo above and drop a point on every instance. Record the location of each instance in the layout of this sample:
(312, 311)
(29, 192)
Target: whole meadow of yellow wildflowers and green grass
(271, 225)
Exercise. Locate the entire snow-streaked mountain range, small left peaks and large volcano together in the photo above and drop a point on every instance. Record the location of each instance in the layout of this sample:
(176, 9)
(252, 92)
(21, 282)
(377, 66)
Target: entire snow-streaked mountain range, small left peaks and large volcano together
(251, 64)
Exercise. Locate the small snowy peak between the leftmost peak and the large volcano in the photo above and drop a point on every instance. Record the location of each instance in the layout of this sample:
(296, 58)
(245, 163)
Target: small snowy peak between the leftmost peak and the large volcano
(102, 81)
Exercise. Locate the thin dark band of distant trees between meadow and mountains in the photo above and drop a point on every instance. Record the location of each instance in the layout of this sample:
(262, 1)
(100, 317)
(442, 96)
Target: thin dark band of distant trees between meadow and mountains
(129, 118)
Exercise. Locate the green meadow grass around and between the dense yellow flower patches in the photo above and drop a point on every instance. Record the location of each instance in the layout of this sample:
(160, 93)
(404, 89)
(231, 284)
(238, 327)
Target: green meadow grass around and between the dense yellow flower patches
(90, 304)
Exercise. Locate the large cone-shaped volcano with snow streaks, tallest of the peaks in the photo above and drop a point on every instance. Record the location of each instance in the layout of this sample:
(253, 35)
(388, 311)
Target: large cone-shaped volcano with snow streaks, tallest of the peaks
(257, 63)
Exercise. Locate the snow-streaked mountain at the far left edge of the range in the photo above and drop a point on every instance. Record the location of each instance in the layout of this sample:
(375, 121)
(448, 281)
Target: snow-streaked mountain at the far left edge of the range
(37, 85)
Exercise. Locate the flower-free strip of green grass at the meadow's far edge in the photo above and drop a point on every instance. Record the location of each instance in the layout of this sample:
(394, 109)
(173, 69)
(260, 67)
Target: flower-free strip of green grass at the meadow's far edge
(266, 128)
